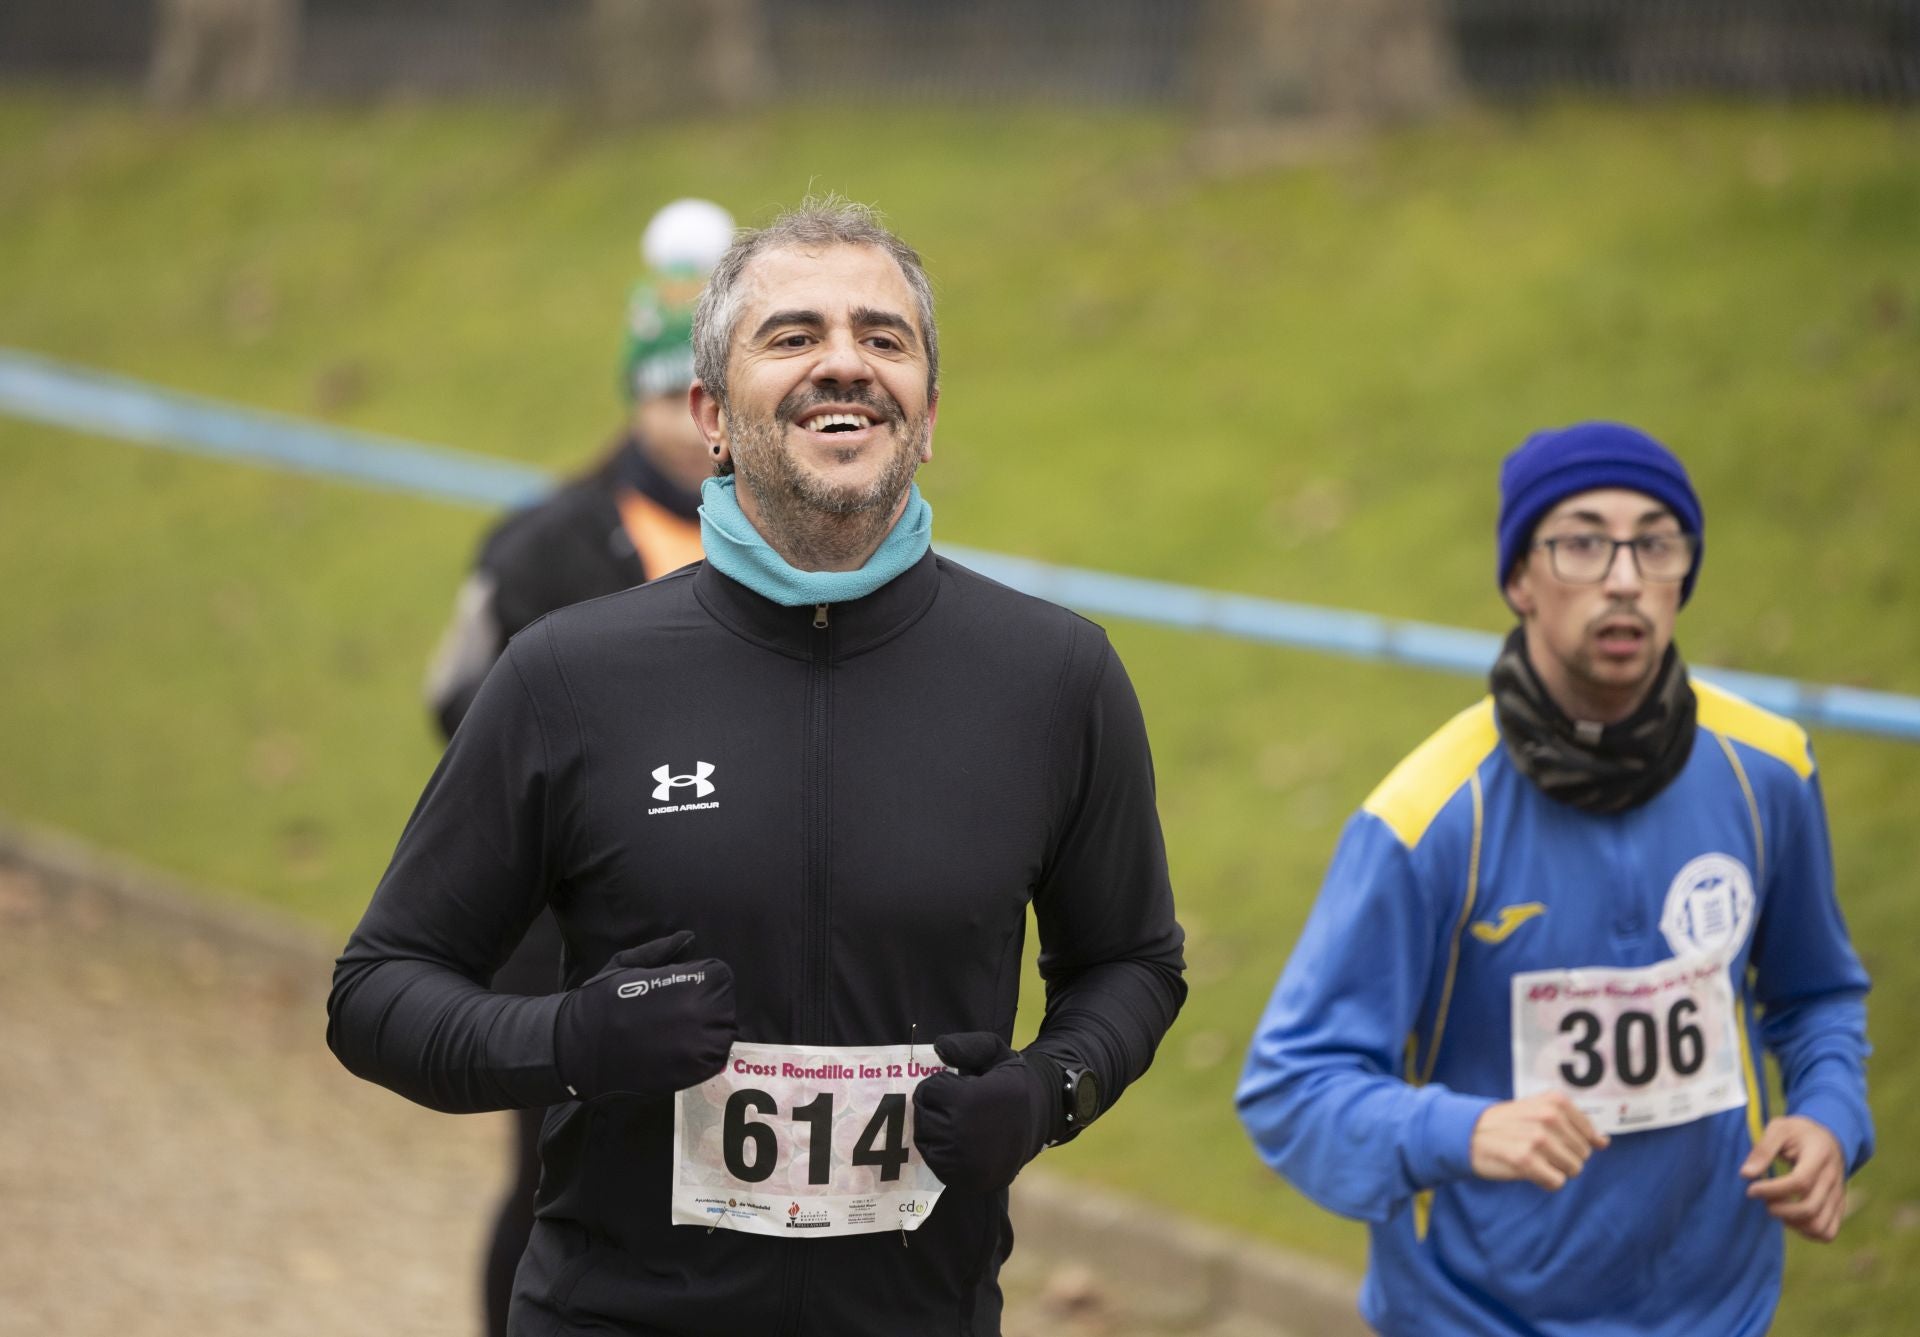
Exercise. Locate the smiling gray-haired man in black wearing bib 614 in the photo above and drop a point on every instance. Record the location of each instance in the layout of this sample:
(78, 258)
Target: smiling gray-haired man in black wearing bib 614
(792, 873)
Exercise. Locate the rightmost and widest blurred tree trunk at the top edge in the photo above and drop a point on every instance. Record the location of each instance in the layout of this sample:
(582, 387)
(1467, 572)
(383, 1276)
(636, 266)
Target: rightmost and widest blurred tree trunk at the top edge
(1356, 61)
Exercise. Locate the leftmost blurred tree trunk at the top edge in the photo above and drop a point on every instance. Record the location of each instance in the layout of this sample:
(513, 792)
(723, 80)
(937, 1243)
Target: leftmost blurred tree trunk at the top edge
(237, 53)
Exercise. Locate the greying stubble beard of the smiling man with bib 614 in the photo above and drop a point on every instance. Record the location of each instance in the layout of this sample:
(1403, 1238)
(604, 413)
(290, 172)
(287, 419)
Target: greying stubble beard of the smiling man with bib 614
(813, 523)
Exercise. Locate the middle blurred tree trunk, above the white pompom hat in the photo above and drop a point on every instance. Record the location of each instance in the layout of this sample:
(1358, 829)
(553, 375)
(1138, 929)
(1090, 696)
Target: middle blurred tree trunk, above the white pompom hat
(663, 59)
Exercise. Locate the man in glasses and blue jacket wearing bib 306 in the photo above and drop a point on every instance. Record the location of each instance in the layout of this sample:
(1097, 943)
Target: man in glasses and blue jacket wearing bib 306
(1522, 1036)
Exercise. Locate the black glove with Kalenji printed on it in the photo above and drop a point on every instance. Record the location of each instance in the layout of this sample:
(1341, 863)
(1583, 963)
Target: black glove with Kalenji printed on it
(648, 1025)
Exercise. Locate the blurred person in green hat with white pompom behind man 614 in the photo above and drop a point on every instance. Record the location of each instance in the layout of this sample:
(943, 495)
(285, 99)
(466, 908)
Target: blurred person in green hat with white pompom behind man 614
(625, 522)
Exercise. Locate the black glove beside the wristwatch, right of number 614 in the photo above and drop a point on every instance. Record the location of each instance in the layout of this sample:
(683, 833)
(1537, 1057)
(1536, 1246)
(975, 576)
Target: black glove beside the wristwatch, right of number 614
(980, 1125)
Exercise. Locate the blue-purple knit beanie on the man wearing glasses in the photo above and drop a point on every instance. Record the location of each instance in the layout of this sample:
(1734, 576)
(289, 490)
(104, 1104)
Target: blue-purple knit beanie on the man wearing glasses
(1552, 466)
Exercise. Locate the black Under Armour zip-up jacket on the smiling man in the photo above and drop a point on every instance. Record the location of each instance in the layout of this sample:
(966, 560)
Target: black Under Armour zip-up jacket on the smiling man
(894, 781)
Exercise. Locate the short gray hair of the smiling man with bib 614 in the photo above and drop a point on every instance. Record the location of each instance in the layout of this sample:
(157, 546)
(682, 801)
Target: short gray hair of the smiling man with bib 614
(813, 224)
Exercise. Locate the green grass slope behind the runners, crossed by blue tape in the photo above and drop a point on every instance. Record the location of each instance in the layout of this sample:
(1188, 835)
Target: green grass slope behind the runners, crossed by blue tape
(1282, 379)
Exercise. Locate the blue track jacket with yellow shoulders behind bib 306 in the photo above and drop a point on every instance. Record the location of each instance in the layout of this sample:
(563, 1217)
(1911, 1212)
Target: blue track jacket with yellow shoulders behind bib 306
(1391, 1031)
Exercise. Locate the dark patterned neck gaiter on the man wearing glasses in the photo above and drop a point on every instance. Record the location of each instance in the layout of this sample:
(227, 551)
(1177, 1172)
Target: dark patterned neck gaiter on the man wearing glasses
(1598, 769)
